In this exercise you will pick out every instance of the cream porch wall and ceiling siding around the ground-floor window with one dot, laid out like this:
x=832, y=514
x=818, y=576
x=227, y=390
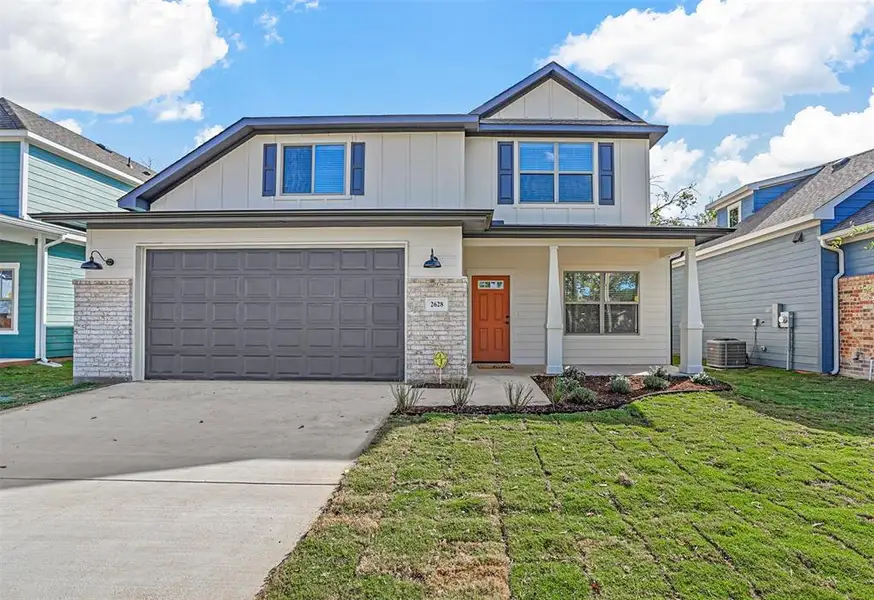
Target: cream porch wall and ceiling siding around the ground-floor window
x=528, y=268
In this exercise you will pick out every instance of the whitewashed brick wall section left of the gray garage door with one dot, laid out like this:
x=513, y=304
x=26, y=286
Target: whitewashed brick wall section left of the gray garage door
x=102, y=330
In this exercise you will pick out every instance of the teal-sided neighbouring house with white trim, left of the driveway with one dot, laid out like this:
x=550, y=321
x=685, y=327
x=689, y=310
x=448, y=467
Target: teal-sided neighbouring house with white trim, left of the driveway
x=45, y=167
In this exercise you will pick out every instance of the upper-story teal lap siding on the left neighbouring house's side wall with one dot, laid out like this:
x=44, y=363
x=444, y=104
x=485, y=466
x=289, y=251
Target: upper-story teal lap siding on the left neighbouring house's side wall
x=56, y=184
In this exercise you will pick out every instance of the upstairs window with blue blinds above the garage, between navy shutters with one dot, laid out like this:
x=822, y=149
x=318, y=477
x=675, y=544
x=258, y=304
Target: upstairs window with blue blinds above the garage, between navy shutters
x=314, y=169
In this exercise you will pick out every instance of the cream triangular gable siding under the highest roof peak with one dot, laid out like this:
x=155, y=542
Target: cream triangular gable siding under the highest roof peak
x=550, y=100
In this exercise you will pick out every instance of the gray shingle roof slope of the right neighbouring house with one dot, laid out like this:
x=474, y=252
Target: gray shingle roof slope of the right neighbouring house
x=810, y=194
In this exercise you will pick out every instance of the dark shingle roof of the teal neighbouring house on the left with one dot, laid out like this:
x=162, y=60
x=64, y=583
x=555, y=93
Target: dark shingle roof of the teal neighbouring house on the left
x=13, y=116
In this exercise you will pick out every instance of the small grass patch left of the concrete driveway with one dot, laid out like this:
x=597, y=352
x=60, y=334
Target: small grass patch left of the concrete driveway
x=33, y=383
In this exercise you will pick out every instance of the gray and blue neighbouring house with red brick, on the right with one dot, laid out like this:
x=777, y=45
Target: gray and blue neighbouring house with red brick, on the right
x=783, y=251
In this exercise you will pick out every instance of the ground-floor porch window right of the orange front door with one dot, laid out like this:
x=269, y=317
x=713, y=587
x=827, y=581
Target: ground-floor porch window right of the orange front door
x=601, y=303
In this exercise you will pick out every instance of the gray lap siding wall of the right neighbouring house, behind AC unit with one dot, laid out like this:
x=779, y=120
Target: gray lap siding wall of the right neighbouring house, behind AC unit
x=738, y=286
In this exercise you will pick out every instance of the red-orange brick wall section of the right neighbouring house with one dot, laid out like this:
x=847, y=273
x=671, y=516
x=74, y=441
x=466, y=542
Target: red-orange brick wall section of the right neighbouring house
x=856, y=301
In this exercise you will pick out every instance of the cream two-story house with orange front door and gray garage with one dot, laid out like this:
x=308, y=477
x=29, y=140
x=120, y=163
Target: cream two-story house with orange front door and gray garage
x=356, y=247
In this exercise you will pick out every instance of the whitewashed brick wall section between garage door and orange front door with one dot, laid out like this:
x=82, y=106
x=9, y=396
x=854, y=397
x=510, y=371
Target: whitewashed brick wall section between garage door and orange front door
x=430, y=332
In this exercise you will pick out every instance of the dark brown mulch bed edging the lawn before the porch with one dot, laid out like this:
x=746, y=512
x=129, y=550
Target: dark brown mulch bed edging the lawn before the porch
x=606, y=399
